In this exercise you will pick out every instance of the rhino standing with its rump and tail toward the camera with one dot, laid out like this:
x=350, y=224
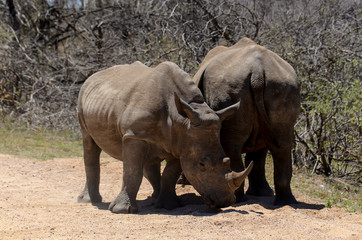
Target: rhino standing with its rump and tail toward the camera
x=269, y=95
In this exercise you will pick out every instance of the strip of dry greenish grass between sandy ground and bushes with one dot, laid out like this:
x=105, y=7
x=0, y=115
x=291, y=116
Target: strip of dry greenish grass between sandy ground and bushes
x=45, y=144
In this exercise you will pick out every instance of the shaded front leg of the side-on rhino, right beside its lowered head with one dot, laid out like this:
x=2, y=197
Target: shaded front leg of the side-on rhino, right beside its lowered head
x=168, y=198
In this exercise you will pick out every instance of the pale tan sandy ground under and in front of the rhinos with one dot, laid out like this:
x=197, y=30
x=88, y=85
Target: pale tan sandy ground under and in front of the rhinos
x=38, y=201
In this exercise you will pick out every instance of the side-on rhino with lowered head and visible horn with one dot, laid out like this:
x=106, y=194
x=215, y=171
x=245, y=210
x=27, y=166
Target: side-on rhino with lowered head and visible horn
x=142, y=115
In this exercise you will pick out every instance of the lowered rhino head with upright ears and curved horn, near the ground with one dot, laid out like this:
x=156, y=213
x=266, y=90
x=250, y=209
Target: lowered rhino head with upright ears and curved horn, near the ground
x=202, y=158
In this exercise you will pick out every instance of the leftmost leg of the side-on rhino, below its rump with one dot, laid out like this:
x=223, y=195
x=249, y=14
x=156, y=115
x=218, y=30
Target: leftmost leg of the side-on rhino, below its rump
x=91, y=153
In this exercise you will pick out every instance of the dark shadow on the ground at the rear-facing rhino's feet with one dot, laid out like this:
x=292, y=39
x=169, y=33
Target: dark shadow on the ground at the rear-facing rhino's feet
x=267, y=203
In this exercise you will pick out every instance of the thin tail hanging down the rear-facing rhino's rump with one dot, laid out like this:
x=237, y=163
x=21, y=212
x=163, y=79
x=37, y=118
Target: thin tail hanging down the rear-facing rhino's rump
x=257, y=83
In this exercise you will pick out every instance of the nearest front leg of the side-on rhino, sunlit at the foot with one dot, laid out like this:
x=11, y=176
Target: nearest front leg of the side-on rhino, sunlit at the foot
x=134, y=153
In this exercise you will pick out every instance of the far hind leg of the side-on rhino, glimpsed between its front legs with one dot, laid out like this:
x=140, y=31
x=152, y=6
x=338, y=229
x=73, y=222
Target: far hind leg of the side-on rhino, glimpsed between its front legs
x=152, y=173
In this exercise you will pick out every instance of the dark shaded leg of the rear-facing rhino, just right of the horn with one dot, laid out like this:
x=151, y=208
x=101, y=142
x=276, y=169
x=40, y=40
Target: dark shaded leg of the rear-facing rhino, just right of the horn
x=258, y=185
